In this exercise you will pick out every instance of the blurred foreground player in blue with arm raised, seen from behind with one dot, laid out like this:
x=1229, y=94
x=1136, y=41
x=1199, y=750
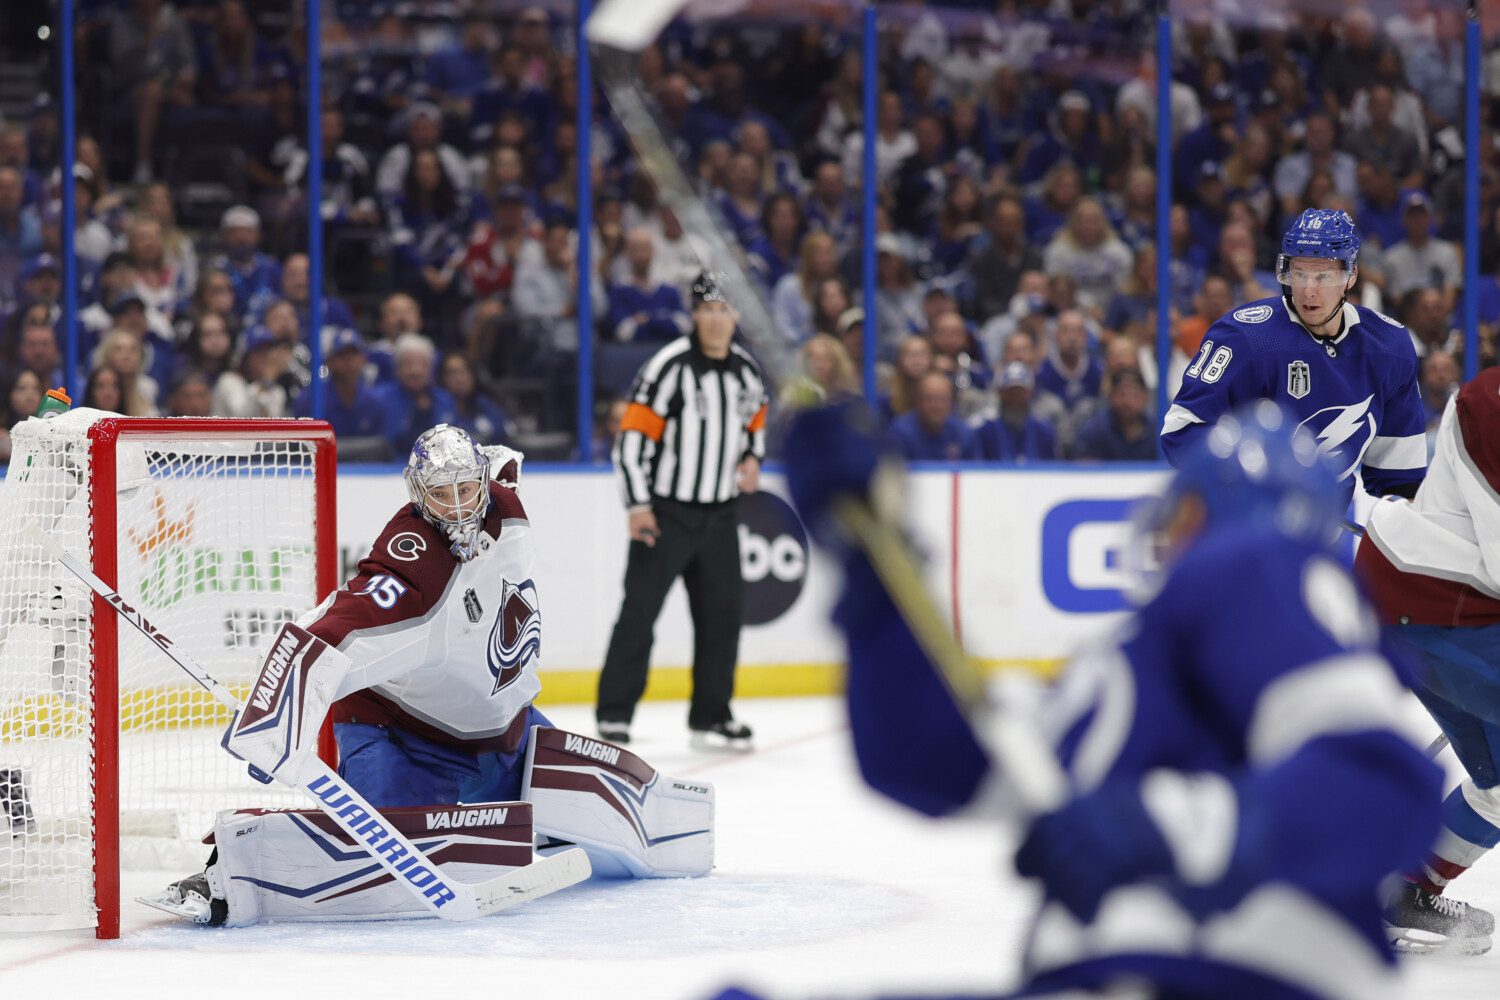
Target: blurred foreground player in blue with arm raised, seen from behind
x=1238, y=789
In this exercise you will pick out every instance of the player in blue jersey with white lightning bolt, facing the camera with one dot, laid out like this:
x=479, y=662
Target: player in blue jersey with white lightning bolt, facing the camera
x=1345, y=373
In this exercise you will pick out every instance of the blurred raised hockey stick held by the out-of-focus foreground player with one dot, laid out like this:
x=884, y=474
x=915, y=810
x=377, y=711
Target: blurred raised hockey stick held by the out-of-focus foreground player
x=617, y=32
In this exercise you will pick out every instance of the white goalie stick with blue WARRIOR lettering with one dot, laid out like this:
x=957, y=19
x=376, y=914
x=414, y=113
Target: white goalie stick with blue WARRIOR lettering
x=445, y=897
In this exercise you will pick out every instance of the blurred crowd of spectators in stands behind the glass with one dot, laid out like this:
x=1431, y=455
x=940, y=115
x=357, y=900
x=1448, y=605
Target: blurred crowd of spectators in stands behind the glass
x=1016, y=245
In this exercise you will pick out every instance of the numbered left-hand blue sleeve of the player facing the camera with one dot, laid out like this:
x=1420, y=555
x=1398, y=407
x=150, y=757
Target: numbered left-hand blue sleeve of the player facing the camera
x=1225, y=374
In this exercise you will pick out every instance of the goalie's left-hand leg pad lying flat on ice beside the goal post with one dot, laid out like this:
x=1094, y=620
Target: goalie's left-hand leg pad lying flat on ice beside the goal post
x=301, y=866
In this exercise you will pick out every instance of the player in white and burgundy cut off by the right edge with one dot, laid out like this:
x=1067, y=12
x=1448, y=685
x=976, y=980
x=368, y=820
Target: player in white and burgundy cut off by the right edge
x=1433, y=567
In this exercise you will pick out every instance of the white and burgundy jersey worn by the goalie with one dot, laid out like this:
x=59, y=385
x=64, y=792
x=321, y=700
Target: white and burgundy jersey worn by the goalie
x=442, y=648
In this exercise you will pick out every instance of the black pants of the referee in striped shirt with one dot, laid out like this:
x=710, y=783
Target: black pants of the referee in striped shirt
x=700, y=543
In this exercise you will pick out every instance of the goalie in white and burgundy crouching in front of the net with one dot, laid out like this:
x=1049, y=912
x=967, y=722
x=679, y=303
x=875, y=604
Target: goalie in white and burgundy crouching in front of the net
x=427, y=663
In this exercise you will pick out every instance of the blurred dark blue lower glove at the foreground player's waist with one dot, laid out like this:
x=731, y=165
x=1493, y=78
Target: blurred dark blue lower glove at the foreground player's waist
x=1093, y=845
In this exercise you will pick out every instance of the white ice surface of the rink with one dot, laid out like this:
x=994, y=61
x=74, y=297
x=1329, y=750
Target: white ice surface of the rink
x=821, y=891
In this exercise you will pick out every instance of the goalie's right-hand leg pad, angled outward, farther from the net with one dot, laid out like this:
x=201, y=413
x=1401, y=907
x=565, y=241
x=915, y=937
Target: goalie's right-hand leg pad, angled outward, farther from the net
x=629, y=818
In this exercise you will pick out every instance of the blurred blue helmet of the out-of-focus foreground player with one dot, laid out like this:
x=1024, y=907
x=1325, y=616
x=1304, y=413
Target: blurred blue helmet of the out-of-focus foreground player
x=1256, y=469
